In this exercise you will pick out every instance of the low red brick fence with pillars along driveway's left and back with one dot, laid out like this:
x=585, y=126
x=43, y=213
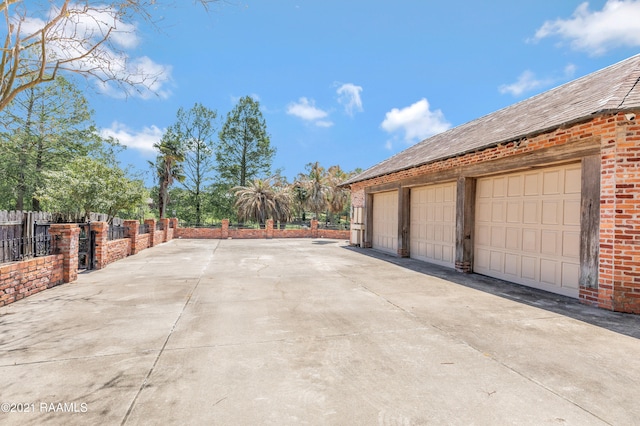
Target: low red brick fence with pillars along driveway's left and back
x=21, y=279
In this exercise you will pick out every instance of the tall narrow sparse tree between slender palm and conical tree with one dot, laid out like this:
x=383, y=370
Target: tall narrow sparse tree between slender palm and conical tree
x=196, y=130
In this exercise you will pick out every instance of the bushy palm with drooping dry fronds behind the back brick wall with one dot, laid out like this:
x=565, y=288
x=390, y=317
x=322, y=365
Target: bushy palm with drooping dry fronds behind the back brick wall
x=261, y=201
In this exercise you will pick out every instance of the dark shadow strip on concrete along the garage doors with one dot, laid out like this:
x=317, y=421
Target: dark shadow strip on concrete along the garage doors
x=627, y=324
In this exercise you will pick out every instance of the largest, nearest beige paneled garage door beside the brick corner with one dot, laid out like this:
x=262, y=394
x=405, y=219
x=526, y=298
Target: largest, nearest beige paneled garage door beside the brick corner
x=528, y=228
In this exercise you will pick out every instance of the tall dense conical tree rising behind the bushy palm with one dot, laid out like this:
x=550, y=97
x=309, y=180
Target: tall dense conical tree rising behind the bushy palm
x=244, y=149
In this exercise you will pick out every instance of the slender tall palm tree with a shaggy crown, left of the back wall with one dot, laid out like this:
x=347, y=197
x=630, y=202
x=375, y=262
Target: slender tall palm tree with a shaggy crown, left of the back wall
x=168, y=167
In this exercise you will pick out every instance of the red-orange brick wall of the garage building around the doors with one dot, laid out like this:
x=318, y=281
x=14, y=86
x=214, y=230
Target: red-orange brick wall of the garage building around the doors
x=619, y=246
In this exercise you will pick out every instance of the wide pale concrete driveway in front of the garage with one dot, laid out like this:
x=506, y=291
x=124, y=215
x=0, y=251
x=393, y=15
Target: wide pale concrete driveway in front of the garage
x=246, y=332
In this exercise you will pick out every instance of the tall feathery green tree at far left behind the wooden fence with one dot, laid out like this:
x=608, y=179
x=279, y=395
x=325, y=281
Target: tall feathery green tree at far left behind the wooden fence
x=42, y=130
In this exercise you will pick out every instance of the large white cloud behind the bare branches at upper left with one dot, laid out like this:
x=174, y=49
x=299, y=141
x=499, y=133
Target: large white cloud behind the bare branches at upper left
x=78, y=38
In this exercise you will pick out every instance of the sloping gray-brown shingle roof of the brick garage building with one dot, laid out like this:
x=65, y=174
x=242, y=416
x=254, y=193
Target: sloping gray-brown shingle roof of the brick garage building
x=616, y=87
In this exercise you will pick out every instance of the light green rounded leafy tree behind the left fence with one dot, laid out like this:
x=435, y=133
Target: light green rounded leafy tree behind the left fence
x=88, y=185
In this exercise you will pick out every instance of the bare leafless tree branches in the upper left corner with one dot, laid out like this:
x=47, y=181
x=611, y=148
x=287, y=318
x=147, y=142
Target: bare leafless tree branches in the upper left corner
x=47, y=37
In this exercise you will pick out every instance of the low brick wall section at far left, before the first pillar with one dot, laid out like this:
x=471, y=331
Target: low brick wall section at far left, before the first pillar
x=21, y=279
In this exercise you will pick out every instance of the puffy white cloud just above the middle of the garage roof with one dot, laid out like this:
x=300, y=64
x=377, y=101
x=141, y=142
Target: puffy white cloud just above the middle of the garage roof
x=417, y=121
